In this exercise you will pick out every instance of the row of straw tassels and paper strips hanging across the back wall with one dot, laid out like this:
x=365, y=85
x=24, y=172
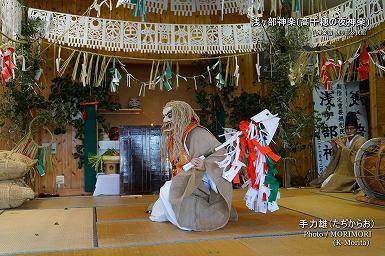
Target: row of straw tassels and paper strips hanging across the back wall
x=95, y=66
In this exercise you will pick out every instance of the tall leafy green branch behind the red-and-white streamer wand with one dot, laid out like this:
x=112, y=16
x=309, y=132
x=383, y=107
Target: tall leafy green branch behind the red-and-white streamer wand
x=297, y=122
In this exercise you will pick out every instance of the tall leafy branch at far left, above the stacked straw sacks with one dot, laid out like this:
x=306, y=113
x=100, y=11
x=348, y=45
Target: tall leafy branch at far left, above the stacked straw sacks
x=22, y=99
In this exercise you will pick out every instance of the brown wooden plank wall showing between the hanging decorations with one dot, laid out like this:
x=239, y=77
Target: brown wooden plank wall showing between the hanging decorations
x=65, y=164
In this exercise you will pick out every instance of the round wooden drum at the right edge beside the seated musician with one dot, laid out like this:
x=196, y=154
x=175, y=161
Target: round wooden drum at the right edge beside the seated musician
x=369, y=168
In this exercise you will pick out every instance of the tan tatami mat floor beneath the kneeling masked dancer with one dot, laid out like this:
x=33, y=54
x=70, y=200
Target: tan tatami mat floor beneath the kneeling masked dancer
x=118, y=225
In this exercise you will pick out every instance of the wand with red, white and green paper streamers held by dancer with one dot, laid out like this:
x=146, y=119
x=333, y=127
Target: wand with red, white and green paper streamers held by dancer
x=252, y=140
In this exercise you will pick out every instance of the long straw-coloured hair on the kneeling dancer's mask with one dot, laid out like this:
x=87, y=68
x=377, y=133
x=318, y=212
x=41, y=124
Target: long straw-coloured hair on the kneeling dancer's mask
x=182, y=115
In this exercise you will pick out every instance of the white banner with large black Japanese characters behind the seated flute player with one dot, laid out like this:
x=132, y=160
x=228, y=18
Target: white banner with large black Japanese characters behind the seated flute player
x=344, y=97
